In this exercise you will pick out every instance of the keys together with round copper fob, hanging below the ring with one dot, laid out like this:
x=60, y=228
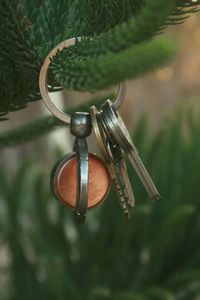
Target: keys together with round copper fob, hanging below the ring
x=81, y=180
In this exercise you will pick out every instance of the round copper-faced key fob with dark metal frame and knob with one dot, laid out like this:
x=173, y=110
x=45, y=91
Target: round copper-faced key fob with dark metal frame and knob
x=75, y=178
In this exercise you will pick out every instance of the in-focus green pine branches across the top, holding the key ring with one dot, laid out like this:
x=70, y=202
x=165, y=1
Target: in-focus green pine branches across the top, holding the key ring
x=29, y=29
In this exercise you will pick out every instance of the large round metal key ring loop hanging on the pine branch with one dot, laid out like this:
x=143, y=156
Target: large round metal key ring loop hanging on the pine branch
x=44, y=86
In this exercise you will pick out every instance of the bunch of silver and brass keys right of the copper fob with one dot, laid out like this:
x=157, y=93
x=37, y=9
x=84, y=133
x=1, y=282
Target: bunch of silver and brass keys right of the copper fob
x=115, y=142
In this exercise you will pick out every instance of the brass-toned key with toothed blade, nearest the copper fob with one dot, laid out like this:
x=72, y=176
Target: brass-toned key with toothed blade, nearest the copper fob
x=114, y=171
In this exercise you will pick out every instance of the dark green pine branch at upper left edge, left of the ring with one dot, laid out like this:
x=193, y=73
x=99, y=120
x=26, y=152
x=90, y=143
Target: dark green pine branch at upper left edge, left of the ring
x=19, y=57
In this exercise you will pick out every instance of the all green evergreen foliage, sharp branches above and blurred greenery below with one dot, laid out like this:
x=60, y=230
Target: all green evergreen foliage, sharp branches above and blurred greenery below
x=155, y=255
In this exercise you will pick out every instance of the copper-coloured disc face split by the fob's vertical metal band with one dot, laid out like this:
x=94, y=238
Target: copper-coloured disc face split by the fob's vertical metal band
x=65, y=181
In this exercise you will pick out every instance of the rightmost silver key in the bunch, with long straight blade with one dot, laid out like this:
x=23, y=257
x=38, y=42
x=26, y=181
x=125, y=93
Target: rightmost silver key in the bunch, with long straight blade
x=118, y=133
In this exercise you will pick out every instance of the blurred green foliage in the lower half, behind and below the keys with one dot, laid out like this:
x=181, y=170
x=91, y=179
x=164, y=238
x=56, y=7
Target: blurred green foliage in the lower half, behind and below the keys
x=154, y=255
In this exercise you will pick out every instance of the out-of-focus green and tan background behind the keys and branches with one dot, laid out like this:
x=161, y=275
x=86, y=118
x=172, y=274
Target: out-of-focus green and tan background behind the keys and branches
x=155, y=254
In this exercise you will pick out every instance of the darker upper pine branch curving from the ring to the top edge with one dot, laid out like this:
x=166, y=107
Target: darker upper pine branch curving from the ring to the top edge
x=137, y=30
